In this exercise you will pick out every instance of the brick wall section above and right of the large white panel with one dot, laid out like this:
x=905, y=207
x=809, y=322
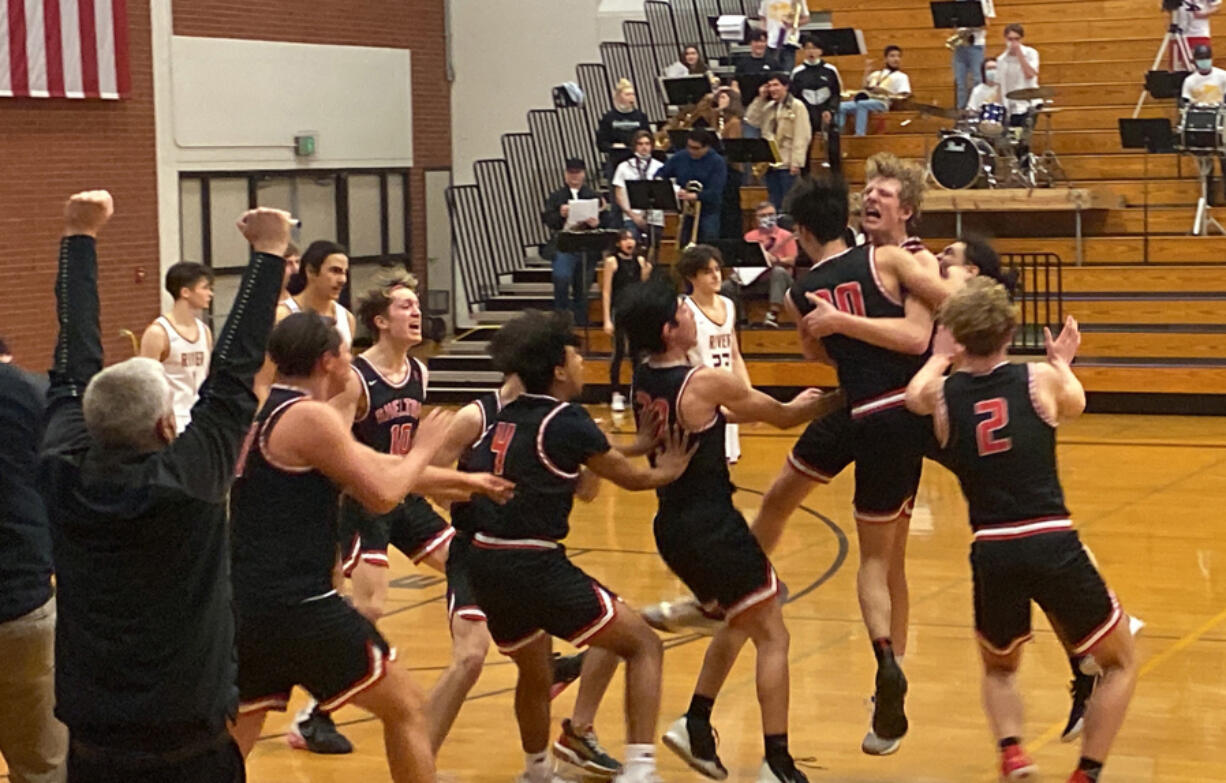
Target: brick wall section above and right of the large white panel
x=416, y=25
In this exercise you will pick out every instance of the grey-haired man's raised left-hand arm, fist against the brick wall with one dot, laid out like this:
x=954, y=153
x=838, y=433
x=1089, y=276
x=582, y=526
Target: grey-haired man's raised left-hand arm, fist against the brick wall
x=79, y=346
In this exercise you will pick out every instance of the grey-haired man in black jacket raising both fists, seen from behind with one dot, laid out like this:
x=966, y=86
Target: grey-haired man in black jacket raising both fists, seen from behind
x=145, y=644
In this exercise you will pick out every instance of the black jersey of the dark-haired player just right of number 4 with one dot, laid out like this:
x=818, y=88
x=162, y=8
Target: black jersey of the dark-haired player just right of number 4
x=707, y=477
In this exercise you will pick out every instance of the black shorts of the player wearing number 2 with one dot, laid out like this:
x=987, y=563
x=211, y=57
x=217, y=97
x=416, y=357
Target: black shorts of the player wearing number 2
x=1013, y=565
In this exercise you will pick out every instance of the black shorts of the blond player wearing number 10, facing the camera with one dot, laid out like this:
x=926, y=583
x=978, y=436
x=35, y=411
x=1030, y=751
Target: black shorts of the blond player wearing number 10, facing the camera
x=413, y=528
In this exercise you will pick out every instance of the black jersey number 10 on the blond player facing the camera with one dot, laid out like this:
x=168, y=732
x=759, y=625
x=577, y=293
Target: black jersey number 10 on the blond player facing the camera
x=393, y=410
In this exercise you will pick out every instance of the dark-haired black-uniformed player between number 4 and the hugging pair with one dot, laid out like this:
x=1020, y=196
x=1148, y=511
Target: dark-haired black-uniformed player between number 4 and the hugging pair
x=701, y=535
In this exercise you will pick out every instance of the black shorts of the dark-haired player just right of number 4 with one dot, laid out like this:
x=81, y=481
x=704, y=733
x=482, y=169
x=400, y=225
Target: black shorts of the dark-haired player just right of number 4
x=710, y=547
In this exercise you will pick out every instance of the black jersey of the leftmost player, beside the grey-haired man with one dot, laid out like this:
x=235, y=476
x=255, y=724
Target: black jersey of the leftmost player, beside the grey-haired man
x=283, y=520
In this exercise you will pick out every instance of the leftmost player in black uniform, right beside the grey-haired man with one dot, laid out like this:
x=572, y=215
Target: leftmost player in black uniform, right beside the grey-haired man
x=294, y=628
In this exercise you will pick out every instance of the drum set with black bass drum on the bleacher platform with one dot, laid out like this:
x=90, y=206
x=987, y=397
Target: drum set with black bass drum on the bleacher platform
x=984, y=151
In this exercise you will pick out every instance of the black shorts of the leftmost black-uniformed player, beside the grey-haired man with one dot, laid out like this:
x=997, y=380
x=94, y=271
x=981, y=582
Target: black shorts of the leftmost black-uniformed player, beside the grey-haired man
x=323, y=645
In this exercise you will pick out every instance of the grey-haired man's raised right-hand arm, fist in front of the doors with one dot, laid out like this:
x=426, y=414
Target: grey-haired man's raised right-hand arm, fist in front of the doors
x=204, y=456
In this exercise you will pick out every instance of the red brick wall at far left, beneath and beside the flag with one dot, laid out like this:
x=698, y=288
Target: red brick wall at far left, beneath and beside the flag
x=51, y=149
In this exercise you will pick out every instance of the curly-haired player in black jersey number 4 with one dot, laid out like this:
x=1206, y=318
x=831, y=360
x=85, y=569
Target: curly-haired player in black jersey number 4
x=522, y=578
